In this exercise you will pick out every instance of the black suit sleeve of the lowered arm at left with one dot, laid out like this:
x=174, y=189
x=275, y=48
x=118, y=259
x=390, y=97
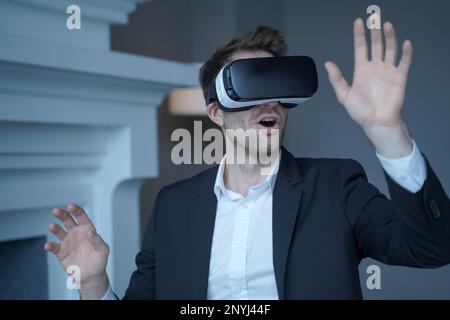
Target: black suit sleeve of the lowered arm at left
x=142, y=282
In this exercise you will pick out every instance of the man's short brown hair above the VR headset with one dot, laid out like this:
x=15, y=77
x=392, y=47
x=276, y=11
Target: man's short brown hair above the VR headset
x=262, y=38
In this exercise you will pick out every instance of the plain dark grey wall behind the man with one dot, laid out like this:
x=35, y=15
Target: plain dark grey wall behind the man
x=191, y=30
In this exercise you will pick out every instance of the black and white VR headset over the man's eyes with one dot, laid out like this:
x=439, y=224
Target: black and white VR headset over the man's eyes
x=245, y=83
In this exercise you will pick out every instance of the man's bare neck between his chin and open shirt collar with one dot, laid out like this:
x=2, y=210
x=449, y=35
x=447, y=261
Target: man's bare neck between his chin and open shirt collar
x=240, y=177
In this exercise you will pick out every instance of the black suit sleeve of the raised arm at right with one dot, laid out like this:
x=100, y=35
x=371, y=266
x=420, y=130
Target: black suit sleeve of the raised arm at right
x=411, y=229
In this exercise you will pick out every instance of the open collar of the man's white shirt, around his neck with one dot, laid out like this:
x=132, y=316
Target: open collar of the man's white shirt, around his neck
x=220, y=189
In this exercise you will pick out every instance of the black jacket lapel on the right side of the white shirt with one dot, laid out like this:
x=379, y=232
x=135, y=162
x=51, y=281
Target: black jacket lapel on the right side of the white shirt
x=286, y=200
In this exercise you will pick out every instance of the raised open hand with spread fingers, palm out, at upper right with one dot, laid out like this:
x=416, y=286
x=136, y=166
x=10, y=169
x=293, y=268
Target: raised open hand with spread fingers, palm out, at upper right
x=377, y=93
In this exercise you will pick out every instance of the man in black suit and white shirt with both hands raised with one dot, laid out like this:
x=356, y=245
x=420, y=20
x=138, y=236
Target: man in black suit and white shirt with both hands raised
x=301, y=231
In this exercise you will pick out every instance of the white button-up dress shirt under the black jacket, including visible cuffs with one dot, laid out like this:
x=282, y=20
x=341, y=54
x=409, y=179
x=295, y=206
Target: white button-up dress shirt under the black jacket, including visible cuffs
x=241, y=264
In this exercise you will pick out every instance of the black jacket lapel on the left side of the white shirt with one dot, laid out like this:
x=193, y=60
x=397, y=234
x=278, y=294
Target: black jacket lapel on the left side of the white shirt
x=201, y=228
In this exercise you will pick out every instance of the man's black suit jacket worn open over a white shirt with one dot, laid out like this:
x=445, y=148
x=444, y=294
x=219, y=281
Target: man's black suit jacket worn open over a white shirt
x=326, y=219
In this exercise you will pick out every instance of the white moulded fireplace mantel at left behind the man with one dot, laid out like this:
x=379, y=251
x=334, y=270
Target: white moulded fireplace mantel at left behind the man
x=78, y=124
